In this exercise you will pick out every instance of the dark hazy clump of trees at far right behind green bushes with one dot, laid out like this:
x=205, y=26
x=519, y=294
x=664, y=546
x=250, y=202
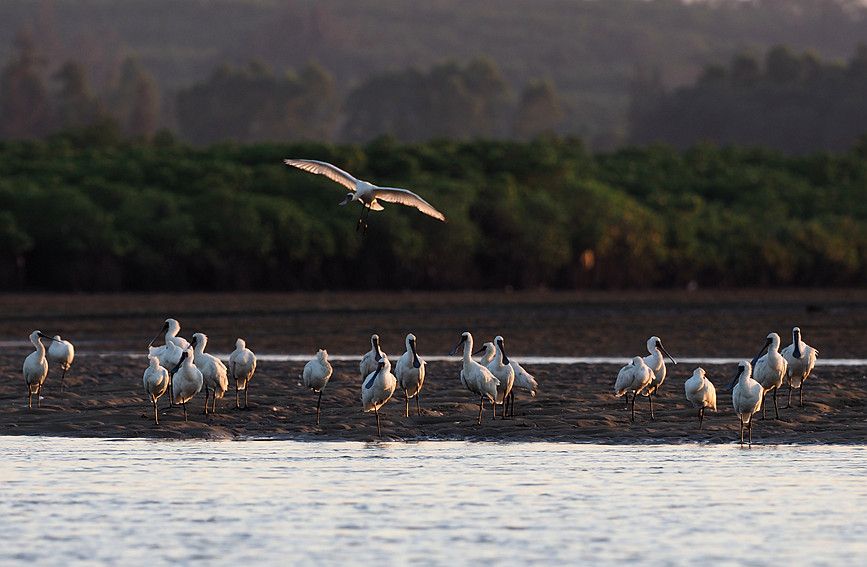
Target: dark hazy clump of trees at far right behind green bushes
x=787, y=101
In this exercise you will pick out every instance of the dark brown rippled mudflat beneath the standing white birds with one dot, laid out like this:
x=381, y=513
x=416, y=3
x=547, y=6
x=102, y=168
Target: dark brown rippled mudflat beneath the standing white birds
x=104, y=395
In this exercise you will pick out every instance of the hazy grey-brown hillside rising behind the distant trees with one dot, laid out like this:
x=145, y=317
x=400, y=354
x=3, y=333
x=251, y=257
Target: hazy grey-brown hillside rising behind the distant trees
x=588, y=51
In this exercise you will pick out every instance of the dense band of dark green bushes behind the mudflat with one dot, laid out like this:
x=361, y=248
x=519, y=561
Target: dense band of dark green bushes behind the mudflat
x=85, y=210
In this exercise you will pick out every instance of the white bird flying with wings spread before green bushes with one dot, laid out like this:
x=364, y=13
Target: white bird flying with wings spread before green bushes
x=366, y=193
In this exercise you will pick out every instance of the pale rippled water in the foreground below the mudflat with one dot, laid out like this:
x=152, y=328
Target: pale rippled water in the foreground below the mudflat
x=266, y=502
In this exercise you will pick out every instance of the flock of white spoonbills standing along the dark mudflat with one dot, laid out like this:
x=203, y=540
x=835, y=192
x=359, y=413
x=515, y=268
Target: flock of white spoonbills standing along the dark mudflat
x=183, y=369
